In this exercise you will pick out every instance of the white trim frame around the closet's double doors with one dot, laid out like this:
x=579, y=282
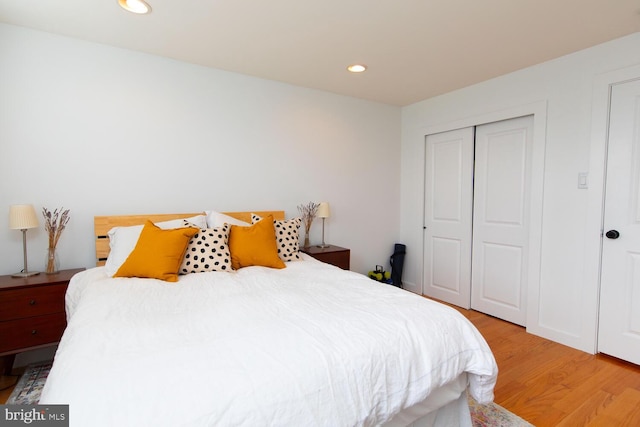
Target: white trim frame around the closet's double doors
x=539, y=112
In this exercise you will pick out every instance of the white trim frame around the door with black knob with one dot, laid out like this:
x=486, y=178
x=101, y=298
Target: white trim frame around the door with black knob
x=595, y=200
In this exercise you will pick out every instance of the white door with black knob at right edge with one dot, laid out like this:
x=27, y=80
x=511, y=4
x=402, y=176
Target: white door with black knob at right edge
x=619, y=320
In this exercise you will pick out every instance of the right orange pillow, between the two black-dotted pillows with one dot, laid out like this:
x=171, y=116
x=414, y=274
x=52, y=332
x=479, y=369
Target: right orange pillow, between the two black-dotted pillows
x=254, y=245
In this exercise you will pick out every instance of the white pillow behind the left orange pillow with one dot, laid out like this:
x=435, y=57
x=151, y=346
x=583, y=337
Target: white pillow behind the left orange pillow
x=122, y=240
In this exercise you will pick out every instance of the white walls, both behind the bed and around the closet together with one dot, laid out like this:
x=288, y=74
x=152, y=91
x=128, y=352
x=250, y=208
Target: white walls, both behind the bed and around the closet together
x=101, y=131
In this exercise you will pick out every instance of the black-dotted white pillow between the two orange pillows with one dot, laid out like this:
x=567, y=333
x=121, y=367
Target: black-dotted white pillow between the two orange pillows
x=208, y=250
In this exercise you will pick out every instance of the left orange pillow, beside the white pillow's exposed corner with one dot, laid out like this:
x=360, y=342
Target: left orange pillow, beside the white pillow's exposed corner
x=158, y=253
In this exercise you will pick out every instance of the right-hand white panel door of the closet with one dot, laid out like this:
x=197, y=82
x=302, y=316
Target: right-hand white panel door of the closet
x=501, y=218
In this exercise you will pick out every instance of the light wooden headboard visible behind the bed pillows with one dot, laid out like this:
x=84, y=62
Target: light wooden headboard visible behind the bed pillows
x=102, y=225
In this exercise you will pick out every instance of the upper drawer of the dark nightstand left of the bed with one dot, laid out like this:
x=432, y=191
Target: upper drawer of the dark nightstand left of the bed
x=32, y=301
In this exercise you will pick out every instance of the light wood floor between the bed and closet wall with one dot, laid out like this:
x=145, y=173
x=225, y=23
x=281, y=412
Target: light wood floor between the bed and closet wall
x=549, y=384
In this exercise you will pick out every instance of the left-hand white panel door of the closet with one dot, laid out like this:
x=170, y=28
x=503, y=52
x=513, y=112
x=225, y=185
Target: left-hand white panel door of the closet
x=447, y=216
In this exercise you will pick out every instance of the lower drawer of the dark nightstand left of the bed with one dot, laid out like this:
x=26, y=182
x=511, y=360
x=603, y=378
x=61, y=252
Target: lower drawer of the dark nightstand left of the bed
x=31, y=332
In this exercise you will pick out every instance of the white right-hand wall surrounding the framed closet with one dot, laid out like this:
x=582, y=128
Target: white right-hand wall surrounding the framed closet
x=567, y=288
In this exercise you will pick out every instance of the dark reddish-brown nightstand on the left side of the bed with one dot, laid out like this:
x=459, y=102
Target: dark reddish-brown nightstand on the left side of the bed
x=32, y=312
